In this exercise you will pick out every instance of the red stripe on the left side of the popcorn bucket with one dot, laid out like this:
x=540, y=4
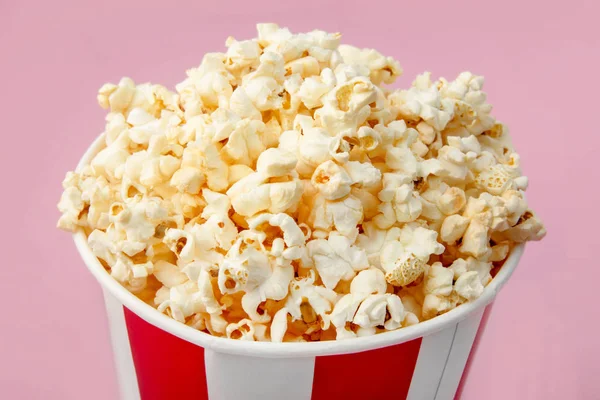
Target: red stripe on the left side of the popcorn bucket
x=167, y=367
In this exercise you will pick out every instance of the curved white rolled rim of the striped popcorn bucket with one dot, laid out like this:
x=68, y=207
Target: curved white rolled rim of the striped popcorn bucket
x=282, y=350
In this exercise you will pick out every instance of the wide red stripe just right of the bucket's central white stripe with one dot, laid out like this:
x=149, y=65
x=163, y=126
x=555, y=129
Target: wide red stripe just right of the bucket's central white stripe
x=367, y=375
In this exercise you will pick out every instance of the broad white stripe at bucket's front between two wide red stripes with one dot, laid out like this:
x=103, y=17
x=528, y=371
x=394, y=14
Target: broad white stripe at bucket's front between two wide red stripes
x=235, y=377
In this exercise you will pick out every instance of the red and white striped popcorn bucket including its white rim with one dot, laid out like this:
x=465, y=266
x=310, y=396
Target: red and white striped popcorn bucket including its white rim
x=157, y=357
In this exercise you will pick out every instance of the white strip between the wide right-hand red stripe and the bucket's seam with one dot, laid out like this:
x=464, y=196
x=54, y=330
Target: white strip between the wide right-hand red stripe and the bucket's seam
x=433, y=355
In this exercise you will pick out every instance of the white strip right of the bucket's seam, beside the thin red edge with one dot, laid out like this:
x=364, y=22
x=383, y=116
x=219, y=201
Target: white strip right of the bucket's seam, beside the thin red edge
x=459, y=354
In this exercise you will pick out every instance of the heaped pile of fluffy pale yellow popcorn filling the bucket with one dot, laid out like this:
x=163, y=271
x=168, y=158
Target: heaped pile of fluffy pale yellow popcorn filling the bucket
x=282, y=193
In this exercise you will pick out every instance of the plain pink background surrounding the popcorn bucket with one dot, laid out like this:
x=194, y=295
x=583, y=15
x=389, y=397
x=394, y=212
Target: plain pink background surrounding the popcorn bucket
x=541, y=62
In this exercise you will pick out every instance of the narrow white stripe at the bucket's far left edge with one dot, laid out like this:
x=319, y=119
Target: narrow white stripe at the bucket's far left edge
x=122, y=351
